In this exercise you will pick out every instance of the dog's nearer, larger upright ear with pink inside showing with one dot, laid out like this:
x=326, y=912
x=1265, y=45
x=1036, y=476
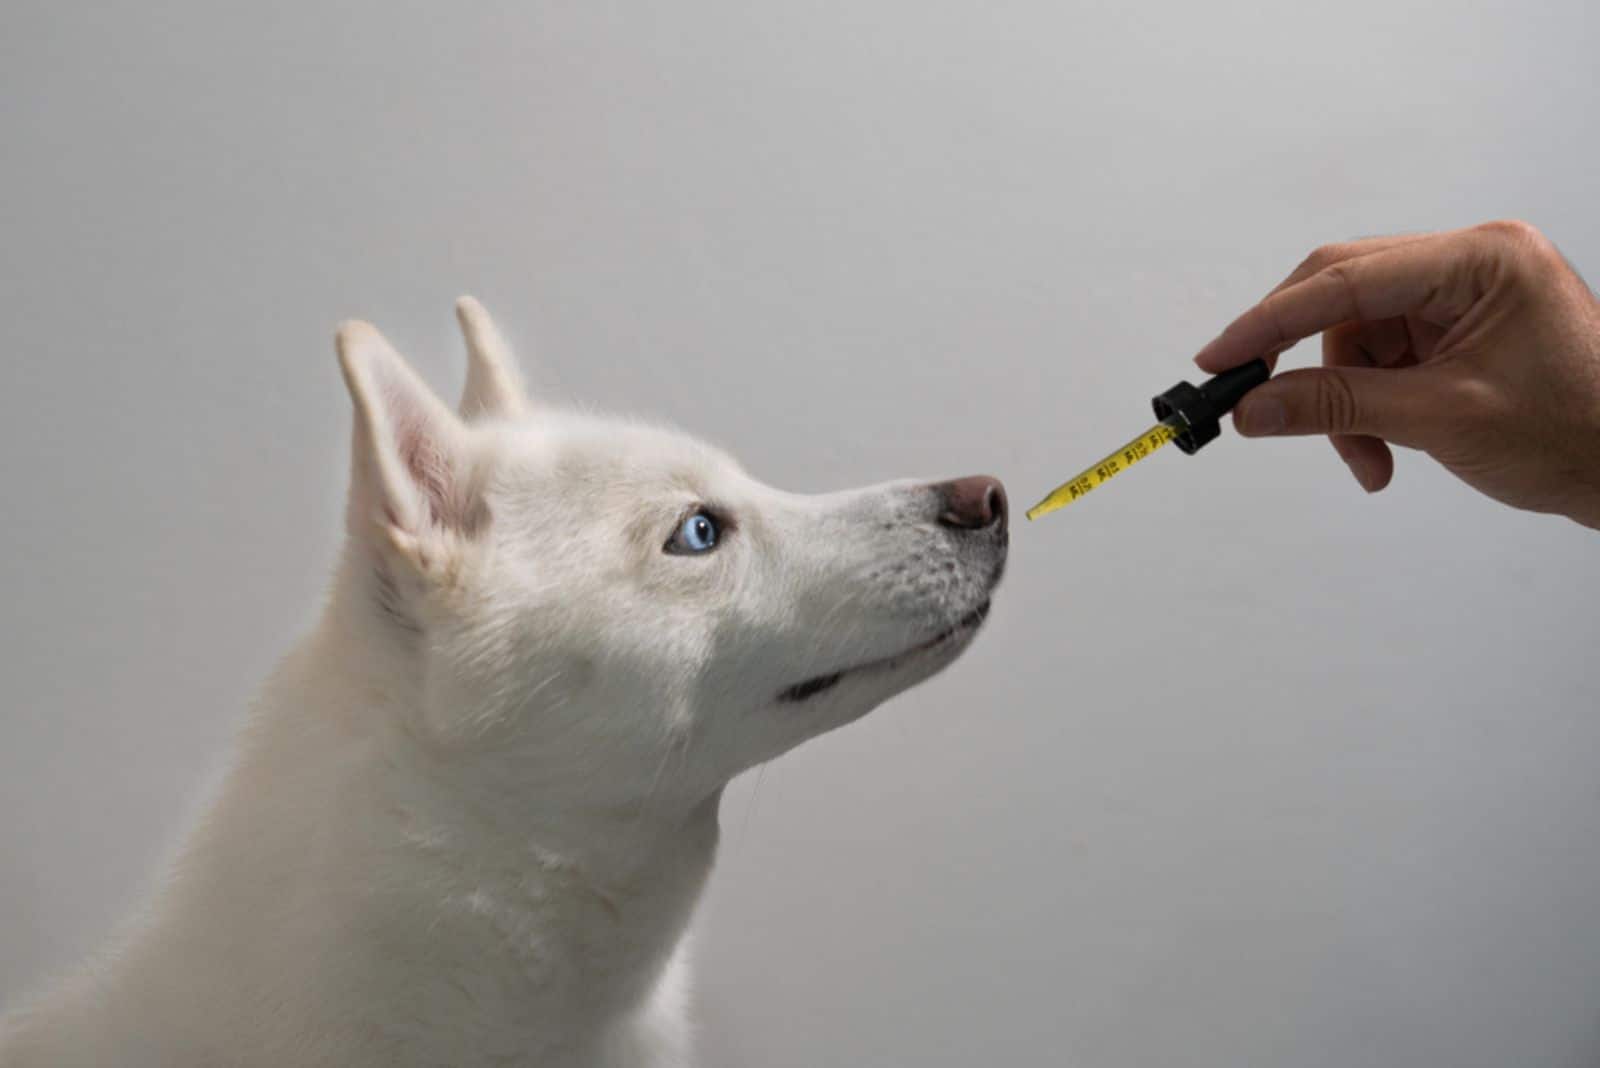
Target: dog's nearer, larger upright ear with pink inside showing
x=409, y=476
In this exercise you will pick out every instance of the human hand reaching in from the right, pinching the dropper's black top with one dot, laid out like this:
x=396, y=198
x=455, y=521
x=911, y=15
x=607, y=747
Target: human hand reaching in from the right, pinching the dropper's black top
x=1479, y=346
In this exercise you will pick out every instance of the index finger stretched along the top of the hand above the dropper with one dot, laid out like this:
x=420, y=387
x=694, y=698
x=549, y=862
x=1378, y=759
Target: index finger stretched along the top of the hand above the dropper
x=1425, y=277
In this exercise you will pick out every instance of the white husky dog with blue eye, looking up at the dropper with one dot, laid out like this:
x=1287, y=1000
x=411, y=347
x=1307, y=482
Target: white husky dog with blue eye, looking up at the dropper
x=471, y=813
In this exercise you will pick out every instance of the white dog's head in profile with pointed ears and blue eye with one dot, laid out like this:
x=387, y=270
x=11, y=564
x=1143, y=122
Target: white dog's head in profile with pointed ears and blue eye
x=620, y=613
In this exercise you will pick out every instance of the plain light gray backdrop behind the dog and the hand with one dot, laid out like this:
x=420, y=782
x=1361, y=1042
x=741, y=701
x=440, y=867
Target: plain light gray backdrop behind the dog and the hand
x=1250, y=770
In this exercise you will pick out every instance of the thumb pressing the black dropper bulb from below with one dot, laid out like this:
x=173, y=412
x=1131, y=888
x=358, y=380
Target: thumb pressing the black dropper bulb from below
x=1382, y=404
